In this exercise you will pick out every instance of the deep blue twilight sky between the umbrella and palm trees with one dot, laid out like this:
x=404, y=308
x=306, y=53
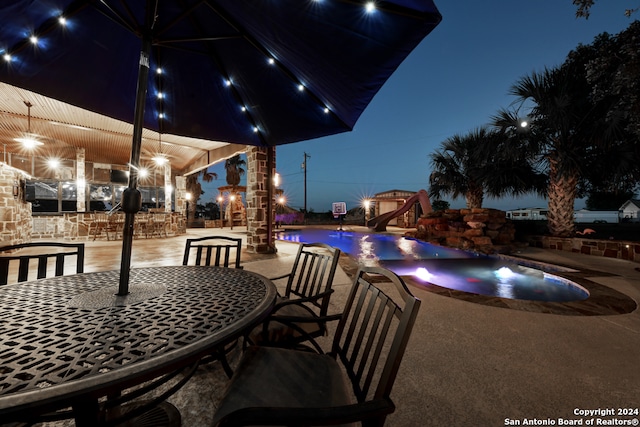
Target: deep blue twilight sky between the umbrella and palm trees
x=453, y=82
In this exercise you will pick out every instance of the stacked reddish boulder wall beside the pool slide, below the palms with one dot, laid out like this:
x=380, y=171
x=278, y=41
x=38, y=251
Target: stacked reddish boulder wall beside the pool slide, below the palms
x=480, y=230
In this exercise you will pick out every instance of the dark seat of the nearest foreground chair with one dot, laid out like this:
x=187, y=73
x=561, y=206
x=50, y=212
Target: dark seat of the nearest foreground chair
x=257, y=384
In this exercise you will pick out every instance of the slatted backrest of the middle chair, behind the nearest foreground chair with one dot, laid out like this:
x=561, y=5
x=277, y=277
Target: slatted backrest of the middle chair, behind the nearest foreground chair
x=312, y=273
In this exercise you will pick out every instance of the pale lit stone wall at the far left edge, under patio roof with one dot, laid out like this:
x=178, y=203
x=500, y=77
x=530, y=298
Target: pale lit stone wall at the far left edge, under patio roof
x=15, y=213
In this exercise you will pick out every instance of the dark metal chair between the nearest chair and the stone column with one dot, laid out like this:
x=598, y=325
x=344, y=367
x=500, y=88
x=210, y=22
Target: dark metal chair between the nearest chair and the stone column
x=300, y=314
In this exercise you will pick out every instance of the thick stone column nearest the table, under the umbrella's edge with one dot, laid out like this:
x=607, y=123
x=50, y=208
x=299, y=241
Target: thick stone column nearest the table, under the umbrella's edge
x=259, y=192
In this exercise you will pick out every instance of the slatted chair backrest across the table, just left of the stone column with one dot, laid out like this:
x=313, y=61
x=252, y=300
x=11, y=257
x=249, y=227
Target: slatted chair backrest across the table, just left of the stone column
x=213, y=250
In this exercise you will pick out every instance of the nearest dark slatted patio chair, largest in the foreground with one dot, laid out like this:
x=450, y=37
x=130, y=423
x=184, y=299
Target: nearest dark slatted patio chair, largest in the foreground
x=351, y=383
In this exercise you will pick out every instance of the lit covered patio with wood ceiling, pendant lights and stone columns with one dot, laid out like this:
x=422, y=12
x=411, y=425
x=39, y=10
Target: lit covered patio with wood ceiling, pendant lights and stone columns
x=90, y=152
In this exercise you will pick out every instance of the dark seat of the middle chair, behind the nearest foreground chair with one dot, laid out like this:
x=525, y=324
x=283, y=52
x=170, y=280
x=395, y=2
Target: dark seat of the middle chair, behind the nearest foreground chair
x=281, y=333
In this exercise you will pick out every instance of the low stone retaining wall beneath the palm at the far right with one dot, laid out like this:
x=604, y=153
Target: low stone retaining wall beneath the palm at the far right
x=626, y=250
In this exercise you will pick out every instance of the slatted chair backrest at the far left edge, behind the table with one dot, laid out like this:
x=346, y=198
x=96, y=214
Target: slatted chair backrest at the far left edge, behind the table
x=34, y=251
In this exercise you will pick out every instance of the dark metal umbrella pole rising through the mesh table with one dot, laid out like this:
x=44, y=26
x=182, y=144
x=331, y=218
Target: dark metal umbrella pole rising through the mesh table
x=131, y=200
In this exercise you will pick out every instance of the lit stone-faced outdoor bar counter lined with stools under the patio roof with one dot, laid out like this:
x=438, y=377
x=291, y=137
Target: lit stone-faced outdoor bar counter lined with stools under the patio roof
x=102, y=226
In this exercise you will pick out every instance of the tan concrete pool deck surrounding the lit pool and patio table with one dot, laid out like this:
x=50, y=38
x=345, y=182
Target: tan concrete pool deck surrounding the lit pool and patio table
x=468, y=363
